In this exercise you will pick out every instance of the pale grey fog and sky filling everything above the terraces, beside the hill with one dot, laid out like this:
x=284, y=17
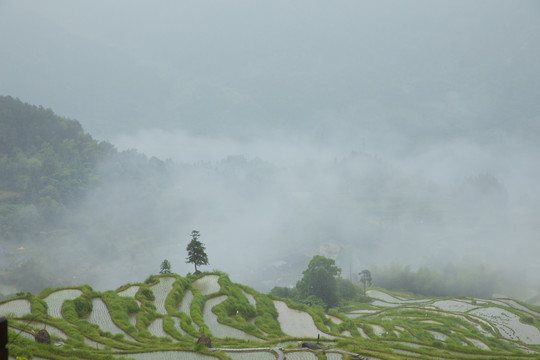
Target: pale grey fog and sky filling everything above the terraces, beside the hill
x=375, y=133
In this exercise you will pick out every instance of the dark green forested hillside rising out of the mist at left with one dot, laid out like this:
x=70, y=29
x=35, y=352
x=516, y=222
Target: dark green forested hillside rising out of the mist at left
x=47, y=163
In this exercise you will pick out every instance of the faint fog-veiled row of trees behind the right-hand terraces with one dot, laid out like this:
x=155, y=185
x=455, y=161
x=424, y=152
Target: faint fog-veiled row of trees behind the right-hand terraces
x=464, y=279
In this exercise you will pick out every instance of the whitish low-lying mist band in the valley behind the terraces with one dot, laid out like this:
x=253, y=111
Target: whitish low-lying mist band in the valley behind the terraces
x=267, y=208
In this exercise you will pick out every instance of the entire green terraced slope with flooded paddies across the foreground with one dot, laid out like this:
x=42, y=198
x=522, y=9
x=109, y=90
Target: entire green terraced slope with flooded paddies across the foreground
x=162, y=317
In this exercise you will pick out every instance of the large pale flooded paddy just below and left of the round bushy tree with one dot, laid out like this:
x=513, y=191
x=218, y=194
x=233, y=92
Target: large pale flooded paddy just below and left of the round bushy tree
x=297, y=323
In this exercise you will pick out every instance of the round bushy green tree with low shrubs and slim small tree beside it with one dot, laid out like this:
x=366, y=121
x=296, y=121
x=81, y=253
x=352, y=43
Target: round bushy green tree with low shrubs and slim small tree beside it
x=322, y=285
